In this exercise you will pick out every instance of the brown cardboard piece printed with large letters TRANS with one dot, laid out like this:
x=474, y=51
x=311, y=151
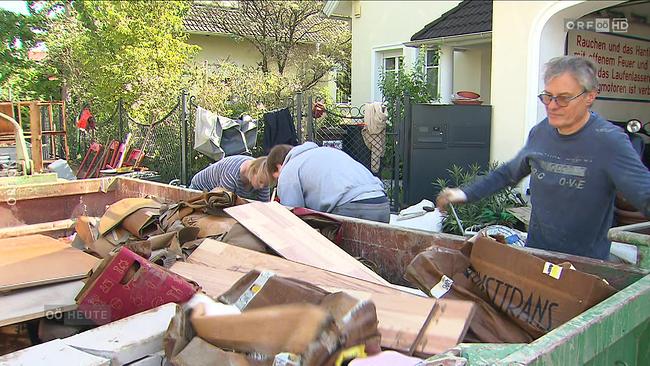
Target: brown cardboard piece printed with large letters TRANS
x=516, y=283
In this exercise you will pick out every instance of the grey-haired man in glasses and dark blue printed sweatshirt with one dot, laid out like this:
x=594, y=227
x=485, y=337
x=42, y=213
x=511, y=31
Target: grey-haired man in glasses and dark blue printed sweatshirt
x=576, y=160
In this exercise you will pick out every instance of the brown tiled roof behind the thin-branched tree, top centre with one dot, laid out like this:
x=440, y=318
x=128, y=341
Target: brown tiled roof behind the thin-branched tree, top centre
x=216, y=19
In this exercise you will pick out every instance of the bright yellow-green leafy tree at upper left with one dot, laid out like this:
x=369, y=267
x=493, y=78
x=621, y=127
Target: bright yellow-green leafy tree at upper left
x=110, y=50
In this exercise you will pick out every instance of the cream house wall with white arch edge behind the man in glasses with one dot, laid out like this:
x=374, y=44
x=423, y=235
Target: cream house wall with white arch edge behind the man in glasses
x=526, y=35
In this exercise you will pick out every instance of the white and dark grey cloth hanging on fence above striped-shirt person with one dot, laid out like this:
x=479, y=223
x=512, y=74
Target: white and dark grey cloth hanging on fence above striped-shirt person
x=216, y=136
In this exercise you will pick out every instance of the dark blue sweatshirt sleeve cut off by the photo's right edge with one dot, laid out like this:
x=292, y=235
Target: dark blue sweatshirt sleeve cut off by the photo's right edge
x=629, y=175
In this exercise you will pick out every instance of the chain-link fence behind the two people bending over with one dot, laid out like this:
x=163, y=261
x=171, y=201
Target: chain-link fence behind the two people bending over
x=168, y=142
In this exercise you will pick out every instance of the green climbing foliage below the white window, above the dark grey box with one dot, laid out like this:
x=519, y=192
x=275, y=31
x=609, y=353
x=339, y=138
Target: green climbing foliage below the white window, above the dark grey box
x=412, y=82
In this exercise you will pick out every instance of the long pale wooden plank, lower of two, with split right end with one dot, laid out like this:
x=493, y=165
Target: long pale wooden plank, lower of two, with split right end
x=400, y=314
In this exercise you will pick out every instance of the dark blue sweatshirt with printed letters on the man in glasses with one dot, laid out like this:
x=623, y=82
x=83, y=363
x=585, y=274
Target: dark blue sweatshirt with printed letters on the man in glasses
x=574, y=179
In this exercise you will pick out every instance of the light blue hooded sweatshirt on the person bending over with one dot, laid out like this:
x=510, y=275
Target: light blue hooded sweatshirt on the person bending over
x=322, y=178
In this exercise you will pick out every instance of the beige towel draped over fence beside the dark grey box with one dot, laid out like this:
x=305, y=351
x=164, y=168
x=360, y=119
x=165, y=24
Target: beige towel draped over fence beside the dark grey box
x=374, y=134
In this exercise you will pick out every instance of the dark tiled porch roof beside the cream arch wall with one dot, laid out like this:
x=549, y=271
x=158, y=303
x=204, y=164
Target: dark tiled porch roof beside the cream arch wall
x=468, y=17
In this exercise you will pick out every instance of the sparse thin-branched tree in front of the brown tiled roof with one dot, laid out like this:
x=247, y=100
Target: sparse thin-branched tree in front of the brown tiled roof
x=282, y=30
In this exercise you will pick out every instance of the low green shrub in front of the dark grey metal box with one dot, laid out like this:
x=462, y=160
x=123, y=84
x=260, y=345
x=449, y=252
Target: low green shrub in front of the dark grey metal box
x=487, y=211
